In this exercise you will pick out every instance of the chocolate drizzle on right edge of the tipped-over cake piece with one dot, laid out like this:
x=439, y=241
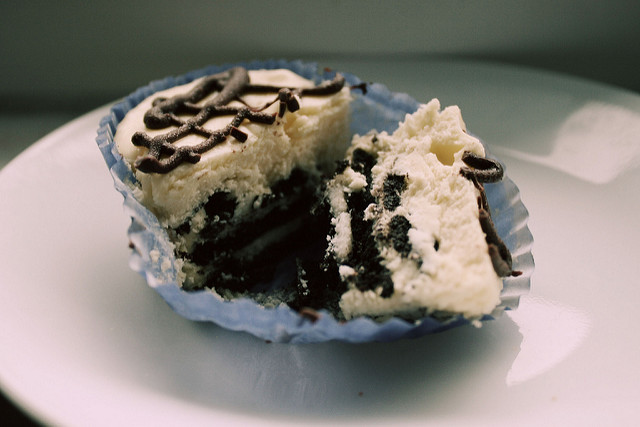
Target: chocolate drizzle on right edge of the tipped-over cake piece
x=481, y=170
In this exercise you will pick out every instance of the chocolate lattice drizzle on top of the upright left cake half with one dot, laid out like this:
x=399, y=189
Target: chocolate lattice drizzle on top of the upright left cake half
x=163, y=156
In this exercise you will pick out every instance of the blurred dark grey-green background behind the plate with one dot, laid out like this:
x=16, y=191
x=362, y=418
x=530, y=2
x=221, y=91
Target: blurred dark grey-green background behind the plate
x=77, y=55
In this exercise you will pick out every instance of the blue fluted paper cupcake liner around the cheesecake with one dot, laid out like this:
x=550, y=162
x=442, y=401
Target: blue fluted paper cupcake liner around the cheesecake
x=379, y=109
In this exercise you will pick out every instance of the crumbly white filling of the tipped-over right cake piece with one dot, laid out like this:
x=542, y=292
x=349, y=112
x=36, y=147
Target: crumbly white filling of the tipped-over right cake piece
x=441, y=206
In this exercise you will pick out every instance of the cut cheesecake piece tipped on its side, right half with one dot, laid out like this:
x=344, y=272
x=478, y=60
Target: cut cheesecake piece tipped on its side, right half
x=411, y=233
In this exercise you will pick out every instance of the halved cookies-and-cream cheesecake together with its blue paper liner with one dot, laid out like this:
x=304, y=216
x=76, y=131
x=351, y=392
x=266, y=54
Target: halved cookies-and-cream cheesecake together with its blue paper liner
x=302, y=205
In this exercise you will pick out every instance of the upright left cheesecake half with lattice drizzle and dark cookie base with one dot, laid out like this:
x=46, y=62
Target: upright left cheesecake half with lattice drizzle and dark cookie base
x=230, y=165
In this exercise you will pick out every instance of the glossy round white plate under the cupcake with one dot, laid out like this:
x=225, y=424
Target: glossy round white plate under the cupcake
x=84, y=341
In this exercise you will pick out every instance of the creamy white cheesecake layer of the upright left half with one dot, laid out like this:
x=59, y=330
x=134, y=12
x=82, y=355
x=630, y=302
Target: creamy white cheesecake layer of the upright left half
x=315, y=135
